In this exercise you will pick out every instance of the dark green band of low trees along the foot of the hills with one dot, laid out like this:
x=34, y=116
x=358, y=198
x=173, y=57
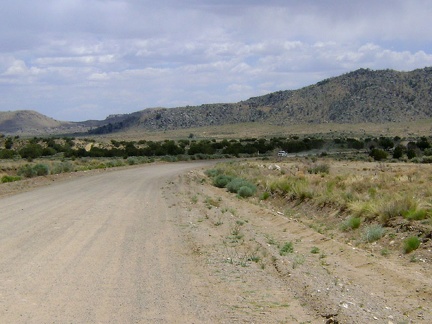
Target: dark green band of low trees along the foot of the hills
x=378, y=148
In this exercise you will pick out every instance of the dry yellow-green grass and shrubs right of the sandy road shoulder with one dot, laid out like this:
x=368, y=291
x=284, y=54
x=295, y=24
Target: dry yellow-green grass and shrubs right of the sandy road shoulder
x=360, y=202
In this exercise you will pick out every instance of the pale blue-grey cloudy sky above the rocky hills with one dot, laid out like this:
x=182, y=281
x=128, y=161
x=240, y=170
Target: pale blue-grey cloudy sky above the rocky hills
x=75, y=60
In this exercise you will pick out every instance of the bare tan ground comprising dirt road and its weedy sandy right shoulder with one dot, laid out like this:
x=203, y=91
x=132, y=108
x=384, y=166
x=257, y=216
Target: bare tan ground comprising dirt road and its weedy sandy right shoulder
x=156, y=244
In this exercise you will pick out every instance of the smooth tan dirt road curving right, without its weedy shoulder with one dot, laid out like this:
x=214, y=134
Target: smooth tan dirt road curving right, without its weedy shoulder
x=98, y=249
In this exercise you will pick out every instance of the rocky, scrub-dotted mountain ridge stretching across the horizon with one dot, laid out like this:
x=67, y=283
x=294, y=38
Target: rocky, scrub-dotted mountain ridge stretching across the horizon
x=362, y=96
